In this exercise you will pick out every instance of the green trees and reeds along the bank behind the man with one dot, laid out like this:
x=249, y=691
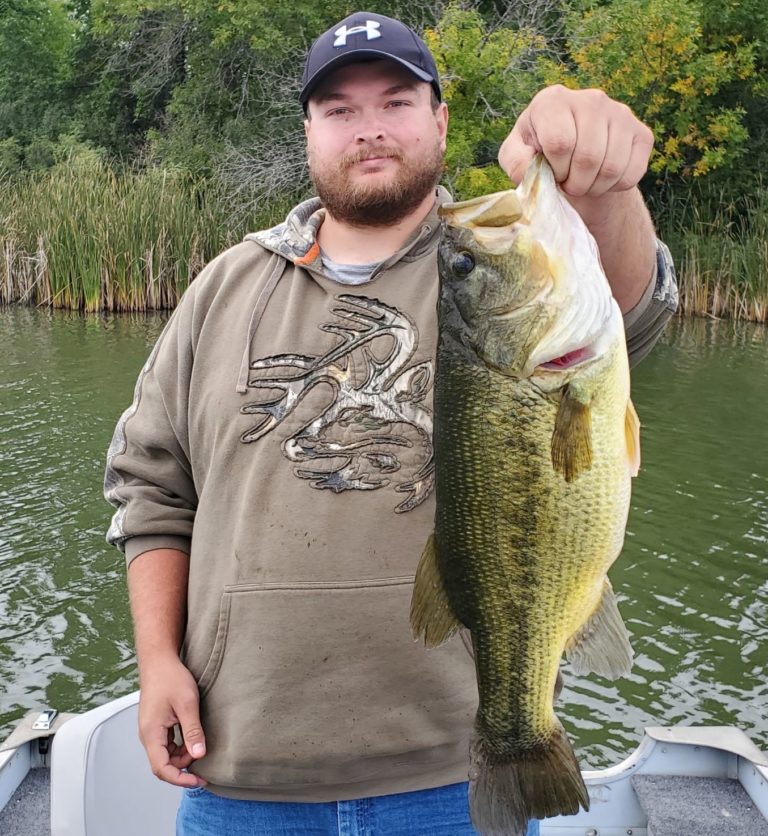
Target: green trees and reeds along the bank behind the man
x=120, y=121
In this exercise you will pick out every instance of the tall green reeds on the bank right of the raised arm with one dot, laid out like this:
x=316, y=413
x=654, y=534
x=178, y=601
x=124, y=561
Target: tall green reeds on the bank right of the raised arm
x=720, y=244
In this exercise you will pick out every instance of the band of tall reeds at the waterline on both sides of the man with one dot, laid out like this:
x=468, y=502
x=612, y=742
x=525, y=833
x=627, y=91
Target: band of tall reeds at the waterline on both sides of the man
x=82, y=237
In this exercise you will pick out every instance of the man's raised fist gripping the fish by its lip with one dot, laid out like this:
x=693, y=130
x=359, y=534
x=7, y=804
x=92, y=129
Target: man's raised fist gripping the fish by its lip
x=593, y=143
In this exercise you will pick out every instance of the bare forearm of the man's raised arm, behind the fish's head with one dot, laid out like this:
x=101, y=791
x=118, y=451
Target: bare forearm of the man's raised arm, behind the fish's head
x=624, y=232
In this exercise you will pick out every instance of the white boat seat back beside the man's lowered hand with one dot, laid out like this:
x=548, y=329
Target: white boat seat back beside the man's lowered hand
x=101, y=782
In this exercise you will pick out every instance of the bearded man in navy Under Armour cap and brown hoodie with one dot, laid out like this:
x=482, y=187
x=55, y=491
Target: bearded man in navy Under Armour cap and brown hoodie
x=269, y=476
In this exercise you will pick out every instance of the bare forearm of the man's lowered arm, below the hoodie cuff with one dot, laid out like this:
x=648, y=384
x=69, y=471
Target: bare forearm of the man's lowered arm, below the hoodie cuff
x=157, y=584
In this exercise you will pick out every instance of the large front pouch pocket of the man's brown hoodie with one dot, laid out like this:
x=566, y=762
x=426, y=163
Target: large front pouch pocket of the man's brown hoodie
x=322, y=683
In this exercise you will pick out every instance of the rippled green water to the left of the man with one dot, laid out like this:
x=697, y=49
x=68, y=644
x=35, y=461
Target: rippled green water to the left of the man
x=63, y=613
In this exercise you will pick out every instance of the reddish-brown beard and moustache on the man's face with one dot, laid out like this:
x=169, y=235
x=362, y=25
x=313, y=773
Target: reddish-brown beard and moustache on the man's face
x=376, y=203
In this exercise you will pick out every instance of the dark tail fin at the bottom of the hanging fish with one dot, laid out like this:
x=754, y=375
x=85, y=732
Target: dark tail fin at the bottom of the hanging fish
x=505, y=793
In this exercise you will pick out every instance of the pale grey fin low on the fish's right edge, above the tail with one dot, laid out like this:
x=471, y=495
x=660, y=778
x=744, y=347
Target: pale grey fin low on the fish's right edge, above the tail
x=601, y=645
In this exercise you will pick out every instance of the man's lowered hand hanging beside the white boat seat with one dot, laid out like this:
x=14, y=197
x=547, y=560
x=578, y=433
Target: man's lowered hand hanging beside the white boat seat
x=169, y=696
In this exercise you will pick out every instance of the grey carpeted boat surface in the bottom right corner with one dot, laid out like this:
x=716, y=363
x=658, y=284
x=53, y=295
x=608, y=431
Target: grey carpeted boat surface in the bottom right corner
x=688, y=806
